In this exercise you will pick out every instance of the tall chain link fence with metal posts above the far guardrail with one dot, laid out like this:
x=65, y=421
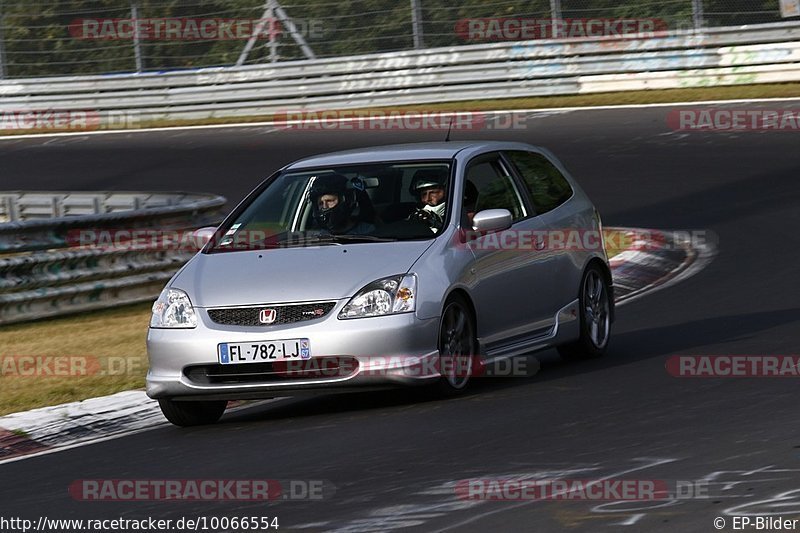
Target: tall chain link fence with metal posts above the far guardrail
x=63, y=37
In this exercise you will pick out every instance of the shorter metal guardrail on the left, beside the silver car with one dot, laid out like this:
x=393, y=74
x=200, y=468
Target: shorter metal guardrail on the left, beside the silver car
x=47, y=269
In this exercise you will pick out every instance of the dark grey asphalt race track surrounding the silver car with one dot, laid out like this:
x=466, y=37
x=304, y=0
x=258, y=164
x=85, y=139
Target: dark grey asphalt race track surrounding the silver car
x=394, y=457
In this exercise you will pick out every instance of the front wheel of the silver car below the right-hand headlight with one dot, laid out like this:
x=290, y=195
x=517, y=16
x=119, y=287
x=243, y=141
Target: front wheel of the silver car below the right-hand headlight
x=458, y=346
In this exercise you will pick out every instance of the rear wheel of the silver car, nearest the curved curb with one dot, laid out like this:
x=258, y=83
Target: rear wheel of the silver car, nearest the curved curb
x=595, y=317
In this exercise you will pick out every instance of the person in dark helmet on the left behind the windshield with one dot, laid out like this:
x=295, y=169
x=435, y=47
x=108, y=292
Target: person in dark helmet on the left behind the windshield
x=333, y=202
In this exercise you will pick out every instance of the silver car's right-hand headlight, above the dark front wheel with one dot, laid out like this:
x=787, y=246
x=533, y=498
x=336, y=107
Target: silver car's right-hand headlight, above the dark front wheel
x=386, y=296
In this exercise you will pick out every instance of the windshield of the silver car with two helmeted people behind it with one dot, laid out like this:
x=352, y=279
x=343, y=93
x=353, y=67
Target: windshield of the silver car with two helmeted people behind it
x=376, y=202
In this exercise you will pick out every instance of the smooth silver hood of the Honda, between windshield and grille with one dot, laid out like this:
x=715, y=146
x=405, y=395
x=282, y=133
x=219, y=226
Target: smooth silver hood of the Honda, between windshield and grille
x=299, y=274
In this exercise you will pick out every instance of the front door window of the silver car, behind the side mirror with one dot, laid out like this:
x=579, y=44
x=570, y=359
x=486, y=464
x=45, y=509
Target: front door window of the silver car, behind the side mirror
x=488, y=181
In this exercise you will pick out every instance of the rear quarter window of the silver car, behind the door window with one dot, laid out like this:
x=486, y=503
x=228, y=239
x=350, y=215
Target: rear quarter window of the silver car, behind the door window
x=547, y=187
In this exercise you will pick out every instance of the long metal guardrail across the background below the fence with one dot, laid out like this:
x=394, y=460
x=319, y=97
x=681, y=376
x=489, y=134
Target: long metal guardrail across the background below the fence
x=721, y=56
